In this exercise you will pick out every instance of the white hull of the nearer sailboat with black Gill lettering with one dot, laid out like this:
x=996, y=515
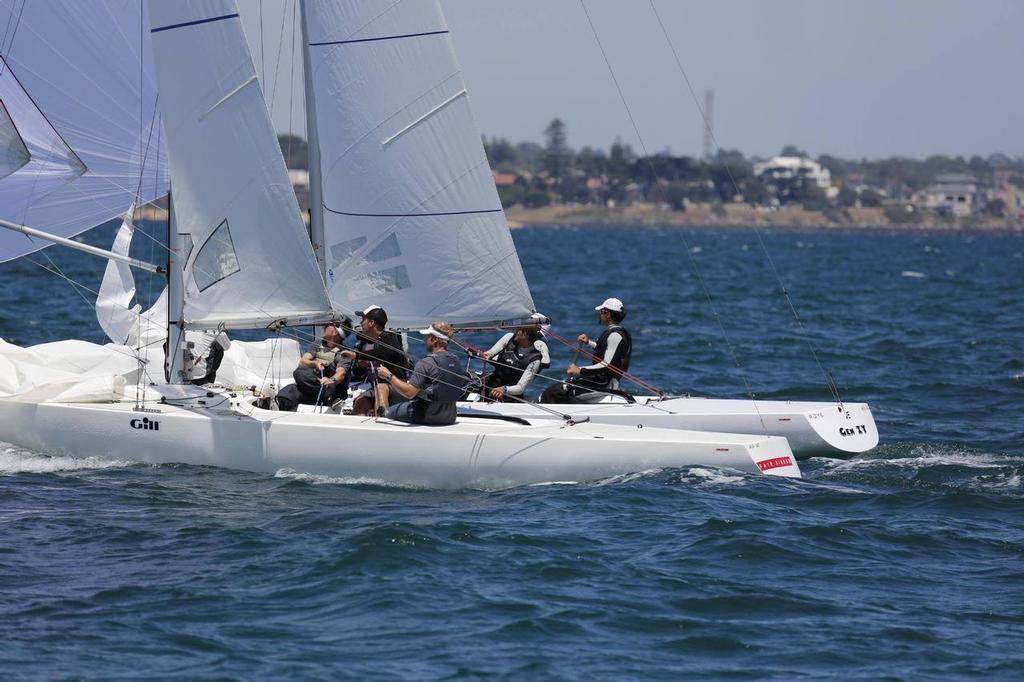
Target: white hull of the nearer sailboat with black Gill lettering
x=474, y=453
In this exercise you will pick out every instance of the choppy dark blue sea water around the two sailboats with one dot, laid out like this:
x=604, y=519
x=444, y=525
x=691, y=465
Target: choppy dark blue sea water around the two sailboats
x=904, y=564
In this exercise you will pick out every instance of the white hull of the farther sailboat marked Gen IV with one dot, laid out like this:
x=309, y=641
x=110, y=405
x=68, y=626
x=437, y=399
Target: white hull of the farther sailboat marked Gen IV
x=814, y=430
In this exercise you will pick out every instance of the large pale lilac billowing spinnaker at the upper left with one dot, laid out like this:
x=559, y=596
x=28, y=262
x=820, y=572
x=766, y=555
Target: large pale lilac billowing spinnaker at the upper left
x=88, y=68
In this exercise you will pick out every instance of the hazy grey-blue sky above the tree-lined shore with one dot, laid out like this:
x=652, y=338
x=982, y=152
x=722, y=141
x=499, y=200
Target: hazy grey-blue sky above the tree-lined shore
x=865, y=78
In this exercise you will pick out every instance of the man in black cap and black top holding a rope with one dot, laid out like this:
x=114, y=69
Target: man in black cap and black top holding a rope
x=376, y=348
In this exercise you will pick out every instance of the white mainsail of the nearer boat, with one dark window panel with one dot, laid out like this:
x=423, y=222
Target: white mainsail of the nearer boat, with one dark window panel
x=251, y=263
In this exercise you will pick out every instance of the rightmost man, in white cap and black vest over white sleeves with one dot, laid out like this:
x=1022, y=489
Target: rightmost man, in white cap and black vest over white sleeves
x=614, y=351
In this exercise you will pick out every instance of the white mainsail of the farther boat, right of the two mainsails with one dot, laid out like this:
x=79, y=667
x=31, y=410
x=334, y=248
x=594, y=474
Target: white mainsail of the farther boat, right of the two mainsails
x=412, y=218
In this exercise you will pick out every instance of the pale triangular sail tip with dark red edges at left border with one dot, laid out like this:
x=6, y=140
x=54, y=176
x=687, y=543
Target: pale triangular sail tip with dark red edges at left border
x=50, y=164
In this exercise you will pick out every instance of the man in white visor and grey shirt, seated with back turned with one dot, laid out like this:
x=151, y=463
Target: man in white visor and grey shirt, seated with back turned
x=436, y=386
